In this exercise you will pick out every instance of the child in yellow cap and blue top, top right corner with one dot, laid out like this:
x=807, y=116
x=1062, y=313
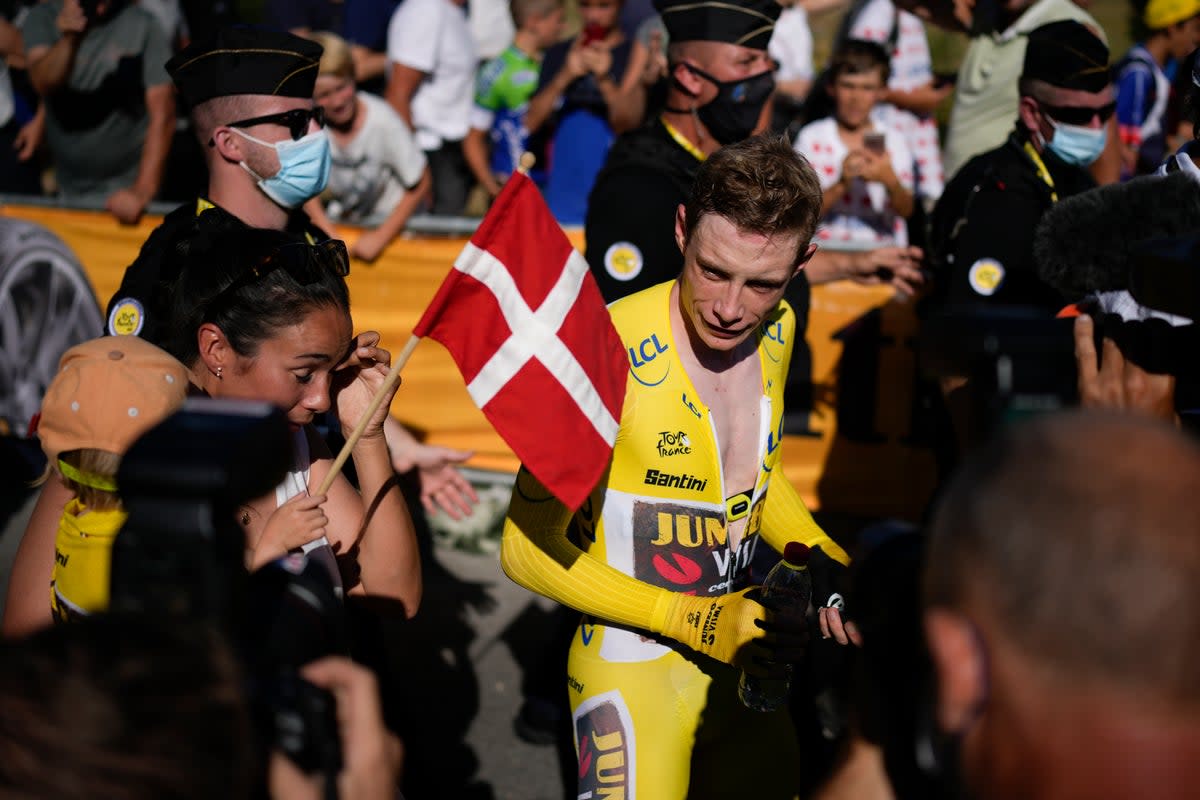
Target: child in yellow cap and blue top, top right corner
x=1143, y=86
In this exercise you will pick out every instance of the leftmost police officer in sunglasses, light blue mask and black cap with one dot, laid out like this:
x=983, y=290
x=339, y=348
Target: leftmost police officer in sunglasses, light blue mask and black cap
x=250, y=94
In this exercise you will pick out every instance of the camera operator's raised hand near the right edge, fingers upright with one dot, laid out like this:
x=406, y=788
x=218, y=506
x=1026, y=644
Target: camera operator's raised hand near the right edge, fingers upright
x=1118, y=383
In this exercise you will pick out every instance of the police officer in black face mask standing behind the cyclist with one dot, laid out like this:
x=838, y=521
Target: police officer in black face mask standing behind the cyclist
x=719, y=81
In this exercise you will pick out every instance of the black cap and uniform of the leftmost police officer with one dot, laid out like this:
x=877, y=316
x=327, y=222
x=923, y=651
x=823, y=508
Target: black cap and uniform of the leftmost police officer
x=235, y=62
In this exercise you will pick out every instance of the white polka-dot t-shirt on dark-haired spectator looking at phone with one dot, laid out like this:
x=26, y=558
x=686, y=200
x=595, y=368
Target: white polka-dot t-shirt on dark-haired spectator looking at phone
x=865, y=216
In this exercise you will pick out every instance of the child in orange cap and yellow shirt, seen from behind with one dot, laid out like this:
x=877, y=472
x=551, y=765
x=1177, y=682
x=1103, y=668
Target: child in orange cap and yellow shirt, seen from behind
x=107, y=393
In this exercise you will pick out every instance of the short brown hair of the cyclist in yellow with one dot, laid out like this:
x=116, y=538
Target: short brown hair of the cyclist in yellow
x=761, y=185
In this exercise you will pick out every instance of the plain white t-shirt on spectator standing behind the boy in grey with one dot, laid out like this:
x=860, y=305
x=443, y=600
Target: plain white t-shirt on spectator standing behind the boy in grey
x=434, y=38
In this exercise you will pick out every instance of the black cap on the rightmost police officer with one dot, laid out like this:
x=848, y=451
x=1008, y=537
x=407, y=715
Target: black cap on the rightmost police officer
x=1069, y=56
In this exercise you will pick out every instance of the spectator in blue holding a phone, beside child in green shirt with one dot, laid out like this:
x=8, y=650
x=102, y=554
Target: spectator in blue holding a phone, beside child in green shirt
x=590, y=91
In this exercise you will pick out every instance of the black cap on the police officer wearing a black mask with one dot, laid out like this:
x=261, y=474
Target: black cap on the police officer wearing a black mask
x=748, y=23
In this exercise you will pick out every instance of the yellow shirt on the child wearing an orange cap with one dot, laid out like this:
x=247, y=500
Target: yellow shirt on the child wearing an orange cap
x=83, y=561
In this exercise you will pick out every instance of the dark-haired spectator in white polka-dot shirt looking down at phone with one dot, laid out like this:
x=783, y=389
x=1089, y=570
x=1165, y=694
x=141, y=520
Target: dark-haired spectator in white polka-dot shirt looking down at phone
x=867, y=178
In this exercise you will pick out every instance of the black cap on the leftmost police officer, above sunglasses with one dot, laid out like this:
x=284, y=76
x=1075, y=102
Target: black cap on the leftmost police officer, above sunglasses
x=247, y=62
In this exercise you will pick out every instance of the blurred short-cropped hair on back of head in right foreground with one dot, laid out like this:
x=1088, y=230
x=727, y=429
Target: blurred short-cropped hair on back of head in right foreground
x=1075, y=538
